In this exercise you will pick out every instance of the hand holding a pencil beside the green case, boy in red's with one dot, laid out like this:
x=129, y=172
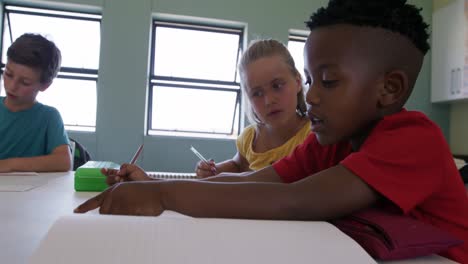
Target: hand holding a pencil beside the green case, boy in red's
x=127, y=172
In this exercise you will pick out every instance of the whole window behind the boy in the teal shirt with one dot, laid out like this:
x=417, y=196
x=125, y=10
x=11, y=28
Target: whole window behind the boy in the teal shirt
x=77, y=35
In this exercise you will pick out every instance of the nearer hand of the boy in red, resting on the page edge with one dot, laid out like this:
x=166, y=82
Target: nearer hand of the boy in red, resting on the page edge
x=131, y=198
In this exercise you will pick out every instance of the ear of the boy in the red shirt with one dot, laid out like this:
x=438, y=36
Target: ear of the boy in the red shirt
x=394, y=89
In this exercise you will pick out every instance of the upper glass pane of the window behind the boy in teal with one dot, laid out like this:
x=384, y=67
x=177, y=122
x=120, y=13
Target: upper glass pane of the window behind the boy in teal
x=78, y=40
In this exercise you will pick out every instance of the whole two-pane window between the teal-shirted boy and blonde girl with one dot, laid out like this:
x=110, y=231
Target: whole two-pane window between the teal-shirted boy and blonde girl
x=194, y=88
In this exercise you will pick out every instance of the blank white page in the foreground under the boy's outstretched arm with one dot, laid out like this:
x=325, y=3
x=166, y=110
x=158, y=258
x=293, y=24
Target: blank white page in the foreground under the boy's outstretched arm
x=93, y=238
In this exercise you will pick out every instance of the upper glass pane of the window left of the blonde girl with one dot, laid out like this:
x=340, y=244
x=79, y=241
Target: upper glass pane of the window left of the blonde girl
x=195, y=54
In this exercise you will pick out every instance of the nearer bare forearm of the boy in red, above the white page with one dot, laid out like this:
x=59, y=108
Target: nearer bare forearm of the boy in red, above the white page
x=329, y=194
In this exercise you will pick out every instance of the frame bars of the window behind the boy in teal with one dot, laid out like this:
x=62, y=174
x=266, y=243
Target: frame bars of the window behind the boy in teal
x=71, y=73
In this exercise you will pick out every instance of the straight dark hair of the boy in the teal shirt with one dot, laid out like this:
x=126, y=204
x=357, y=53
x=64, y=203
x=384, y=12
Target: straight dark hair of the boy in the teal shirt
x=35, y=51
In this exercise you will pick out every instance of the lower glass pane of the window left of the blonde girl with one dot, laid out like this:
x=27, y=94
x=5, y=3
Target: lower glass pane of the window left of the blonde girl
x=193, y=110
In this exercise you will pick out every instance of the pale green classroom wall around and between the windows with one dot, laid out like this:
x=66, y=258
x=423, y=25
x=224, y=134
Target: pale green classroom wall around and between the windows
x=123, y=72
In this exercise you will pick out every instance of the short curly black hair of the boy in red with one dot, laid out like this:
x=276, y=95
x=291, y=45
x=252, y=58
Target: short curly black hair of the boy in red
x=393, y=15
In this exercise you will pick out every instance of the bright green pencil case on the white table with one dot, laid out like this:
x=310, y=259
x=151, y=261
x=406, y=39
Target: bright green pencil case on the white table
x=88, y=177
